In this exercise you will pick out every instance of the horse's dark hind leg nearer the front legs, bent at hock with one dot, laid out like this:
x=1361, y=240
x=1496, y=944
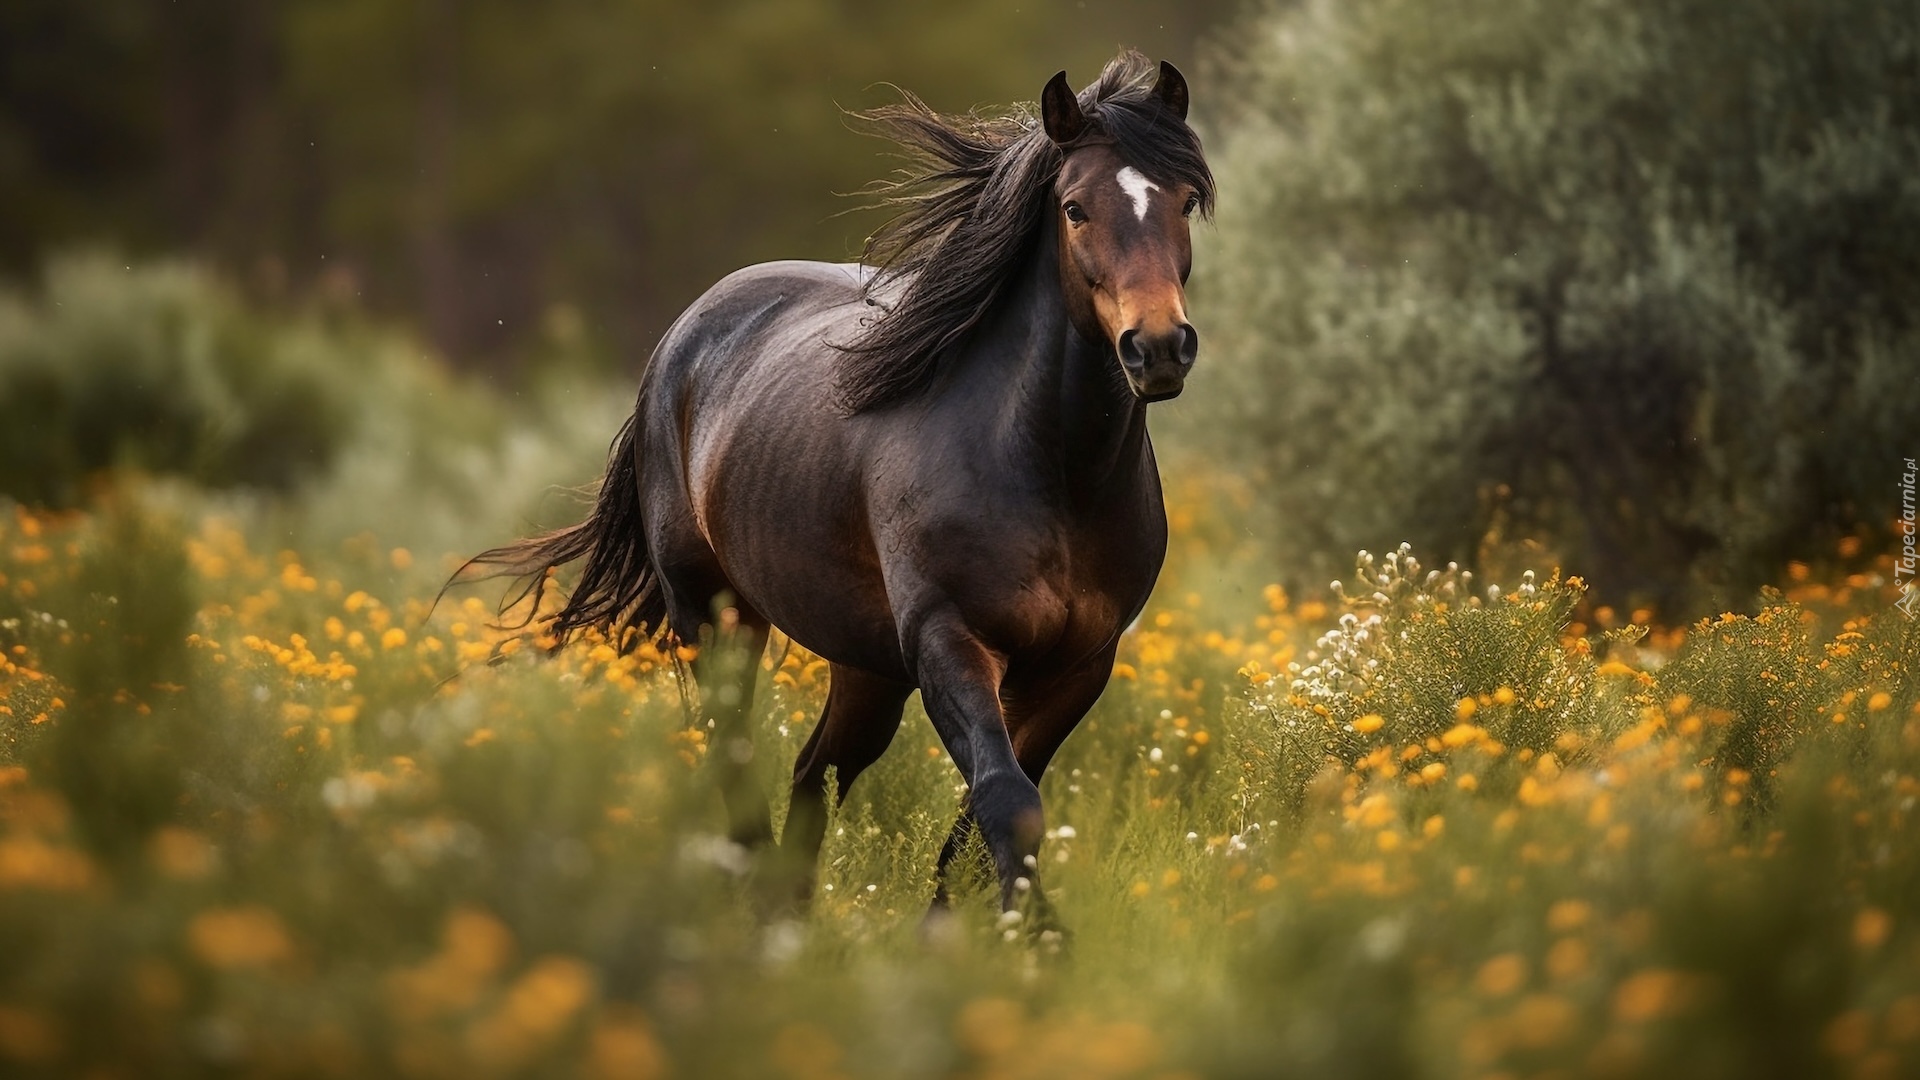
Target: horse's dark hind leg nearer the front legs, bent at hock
x=859, y=722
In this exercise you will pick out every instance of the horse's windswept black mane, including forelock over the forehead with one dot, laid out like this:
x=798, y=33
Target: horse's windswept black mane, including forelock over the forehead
x=972, y=203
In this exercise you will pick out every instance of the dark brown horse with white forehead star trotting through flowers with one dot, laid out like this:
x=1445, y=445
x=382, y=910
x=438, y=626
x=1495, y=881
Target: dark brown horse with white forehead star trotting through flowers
x=932, y=472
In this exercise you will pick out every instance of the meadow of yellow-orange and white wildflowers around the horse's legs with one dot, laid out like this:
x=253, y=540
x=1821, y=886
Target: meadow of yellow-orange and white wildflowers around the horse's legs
x=274, y=814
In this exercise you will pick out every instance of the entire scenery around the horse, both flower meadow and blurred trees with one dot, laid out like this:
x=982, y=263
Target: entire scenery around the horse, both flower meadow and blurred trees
x=304, y=301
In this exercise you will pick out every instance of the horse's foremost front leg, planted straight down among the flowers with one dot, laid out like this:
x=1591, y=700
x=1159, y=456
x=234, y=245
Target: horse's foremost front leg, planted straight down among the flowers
x=961, y=687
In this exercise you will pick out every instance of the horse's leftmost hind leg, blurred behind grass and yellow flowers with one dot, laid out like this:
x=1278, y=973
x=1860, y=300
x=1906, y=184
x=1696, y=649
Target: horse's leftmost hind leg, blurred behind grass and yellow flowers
x=727, y=670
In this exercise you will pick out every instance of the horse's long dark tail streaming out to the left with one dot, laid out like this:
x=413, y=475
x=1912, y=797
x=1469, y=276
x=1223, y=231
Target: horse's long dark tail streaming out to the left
x=619, y=587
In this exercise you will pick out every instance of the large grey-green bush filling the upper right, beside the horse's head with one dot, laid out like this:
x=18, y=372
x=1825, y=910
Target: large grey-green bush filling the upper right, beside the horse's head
x=1635, y=280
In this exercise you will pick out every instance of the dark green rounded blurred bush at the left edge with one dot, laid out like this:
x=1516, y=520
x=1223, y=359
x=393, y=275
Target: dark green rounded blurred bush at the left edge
x=160, y=370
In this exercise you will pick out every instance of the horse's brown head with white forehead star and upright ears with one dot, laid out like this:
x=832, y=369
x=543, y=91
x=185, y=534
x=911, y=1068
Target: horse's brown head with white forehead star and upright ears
x=1124, y=239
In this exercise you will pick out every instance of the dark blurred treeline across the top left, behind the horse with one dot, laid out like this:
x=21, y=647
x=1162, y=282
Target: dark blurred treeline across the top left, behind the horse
x=500, y=168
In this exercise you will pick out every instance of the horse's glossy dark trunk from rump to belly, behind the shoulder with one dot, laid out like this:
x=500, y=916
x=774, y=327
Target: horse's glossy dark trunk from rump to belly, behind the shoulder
x=750, y=468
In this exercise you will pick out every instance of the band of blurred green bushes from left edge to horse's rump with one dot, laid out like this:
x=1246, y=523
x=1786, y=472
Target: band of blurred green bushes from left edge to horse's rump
x=162, y=370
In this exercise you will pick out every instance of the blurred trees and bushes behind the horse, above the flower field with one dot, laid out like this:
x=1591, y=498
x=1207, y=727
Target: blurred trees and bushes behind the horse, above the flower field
x=1623, y=287
